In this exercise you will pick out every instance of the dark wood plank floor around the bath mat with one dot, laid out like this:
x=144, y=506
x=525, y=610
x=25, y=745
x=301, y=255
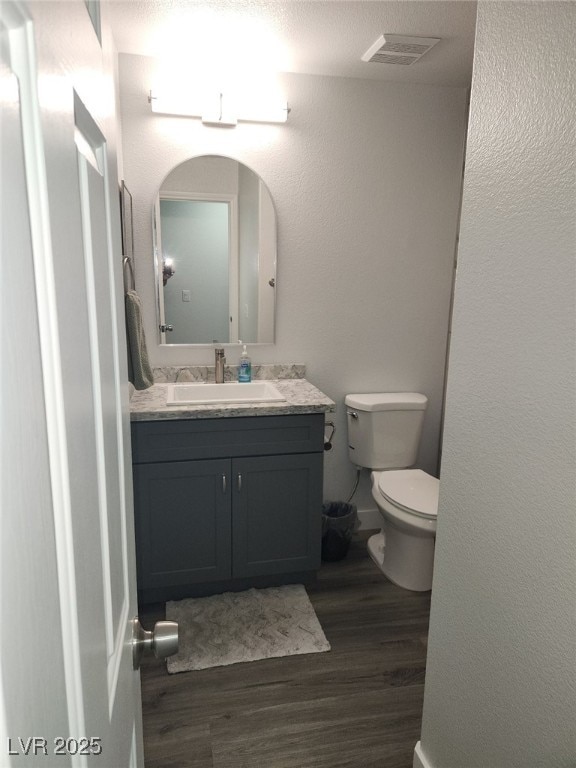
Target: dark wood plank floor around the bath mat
x=357, y=706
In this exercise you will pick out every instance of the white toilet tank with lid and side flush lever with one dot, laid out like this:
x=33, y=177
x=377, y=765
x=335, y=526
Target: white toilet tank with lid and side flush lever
x=384, y=428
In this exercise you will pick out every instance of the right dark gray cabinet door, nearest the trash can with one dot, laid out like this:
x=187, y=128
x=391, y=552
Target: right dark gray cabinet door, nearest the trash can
x=277, y=514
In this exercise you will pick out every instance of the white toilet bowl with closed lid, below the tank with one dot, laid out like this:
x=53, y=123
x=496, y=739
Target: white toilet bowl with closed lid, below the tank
x=407, y=500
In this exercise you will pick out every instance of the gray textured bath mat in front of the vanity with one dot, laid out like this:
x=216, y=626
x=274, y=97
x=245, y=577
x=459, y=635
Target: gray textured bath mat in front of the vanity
x=244, y=626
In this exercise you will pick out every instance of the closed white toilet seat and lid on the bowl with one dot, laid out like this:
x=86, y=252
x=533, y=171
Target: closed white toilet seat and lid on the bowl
x=411, y=490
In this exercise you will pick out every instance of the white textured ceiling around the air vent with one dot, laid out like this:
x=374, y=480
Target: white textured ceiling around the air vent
x=322, y=37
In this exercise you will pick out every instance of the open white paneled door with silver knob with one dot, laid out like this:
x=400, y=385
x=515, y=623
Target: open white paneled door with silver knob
x=67, y=574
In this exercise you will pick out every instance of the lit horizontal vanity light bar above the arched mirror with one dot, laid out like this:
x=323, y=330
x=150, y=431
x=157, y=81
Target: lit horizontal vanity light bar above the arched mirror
x=220, y=109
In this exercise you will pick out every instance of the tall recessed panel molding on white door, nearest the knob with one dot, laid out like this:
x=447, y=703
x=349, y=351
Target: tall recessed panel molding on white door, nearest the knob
x=103, y=329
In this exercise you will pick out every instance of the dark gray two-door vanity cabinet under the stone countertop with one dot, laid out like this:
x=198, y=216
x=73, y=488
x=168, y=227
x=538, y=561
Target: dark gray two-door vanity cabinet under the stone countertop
x=226, y=503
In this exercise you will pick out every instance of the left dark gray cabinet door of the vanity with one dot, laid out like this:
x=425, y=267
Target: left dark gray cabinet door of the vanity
x=182, y=522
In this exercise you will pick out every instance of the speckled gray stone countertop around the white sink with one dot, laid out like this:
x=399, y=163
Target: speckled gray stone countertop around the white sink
x=300, y=397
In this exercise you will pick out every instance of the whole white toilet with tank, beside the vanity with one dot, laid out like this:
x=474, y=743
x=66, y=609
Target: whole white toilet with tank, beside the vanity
x=383, y=434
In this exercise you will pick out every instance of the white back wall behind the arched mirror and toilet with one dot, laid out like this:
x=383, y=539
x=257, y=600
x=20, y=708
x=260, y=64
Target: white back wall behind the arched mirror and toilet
x=366, y=178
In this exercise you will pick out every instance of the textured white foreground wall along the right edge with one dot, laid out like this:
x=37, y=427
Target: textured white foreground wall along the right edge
x=501, y=674
